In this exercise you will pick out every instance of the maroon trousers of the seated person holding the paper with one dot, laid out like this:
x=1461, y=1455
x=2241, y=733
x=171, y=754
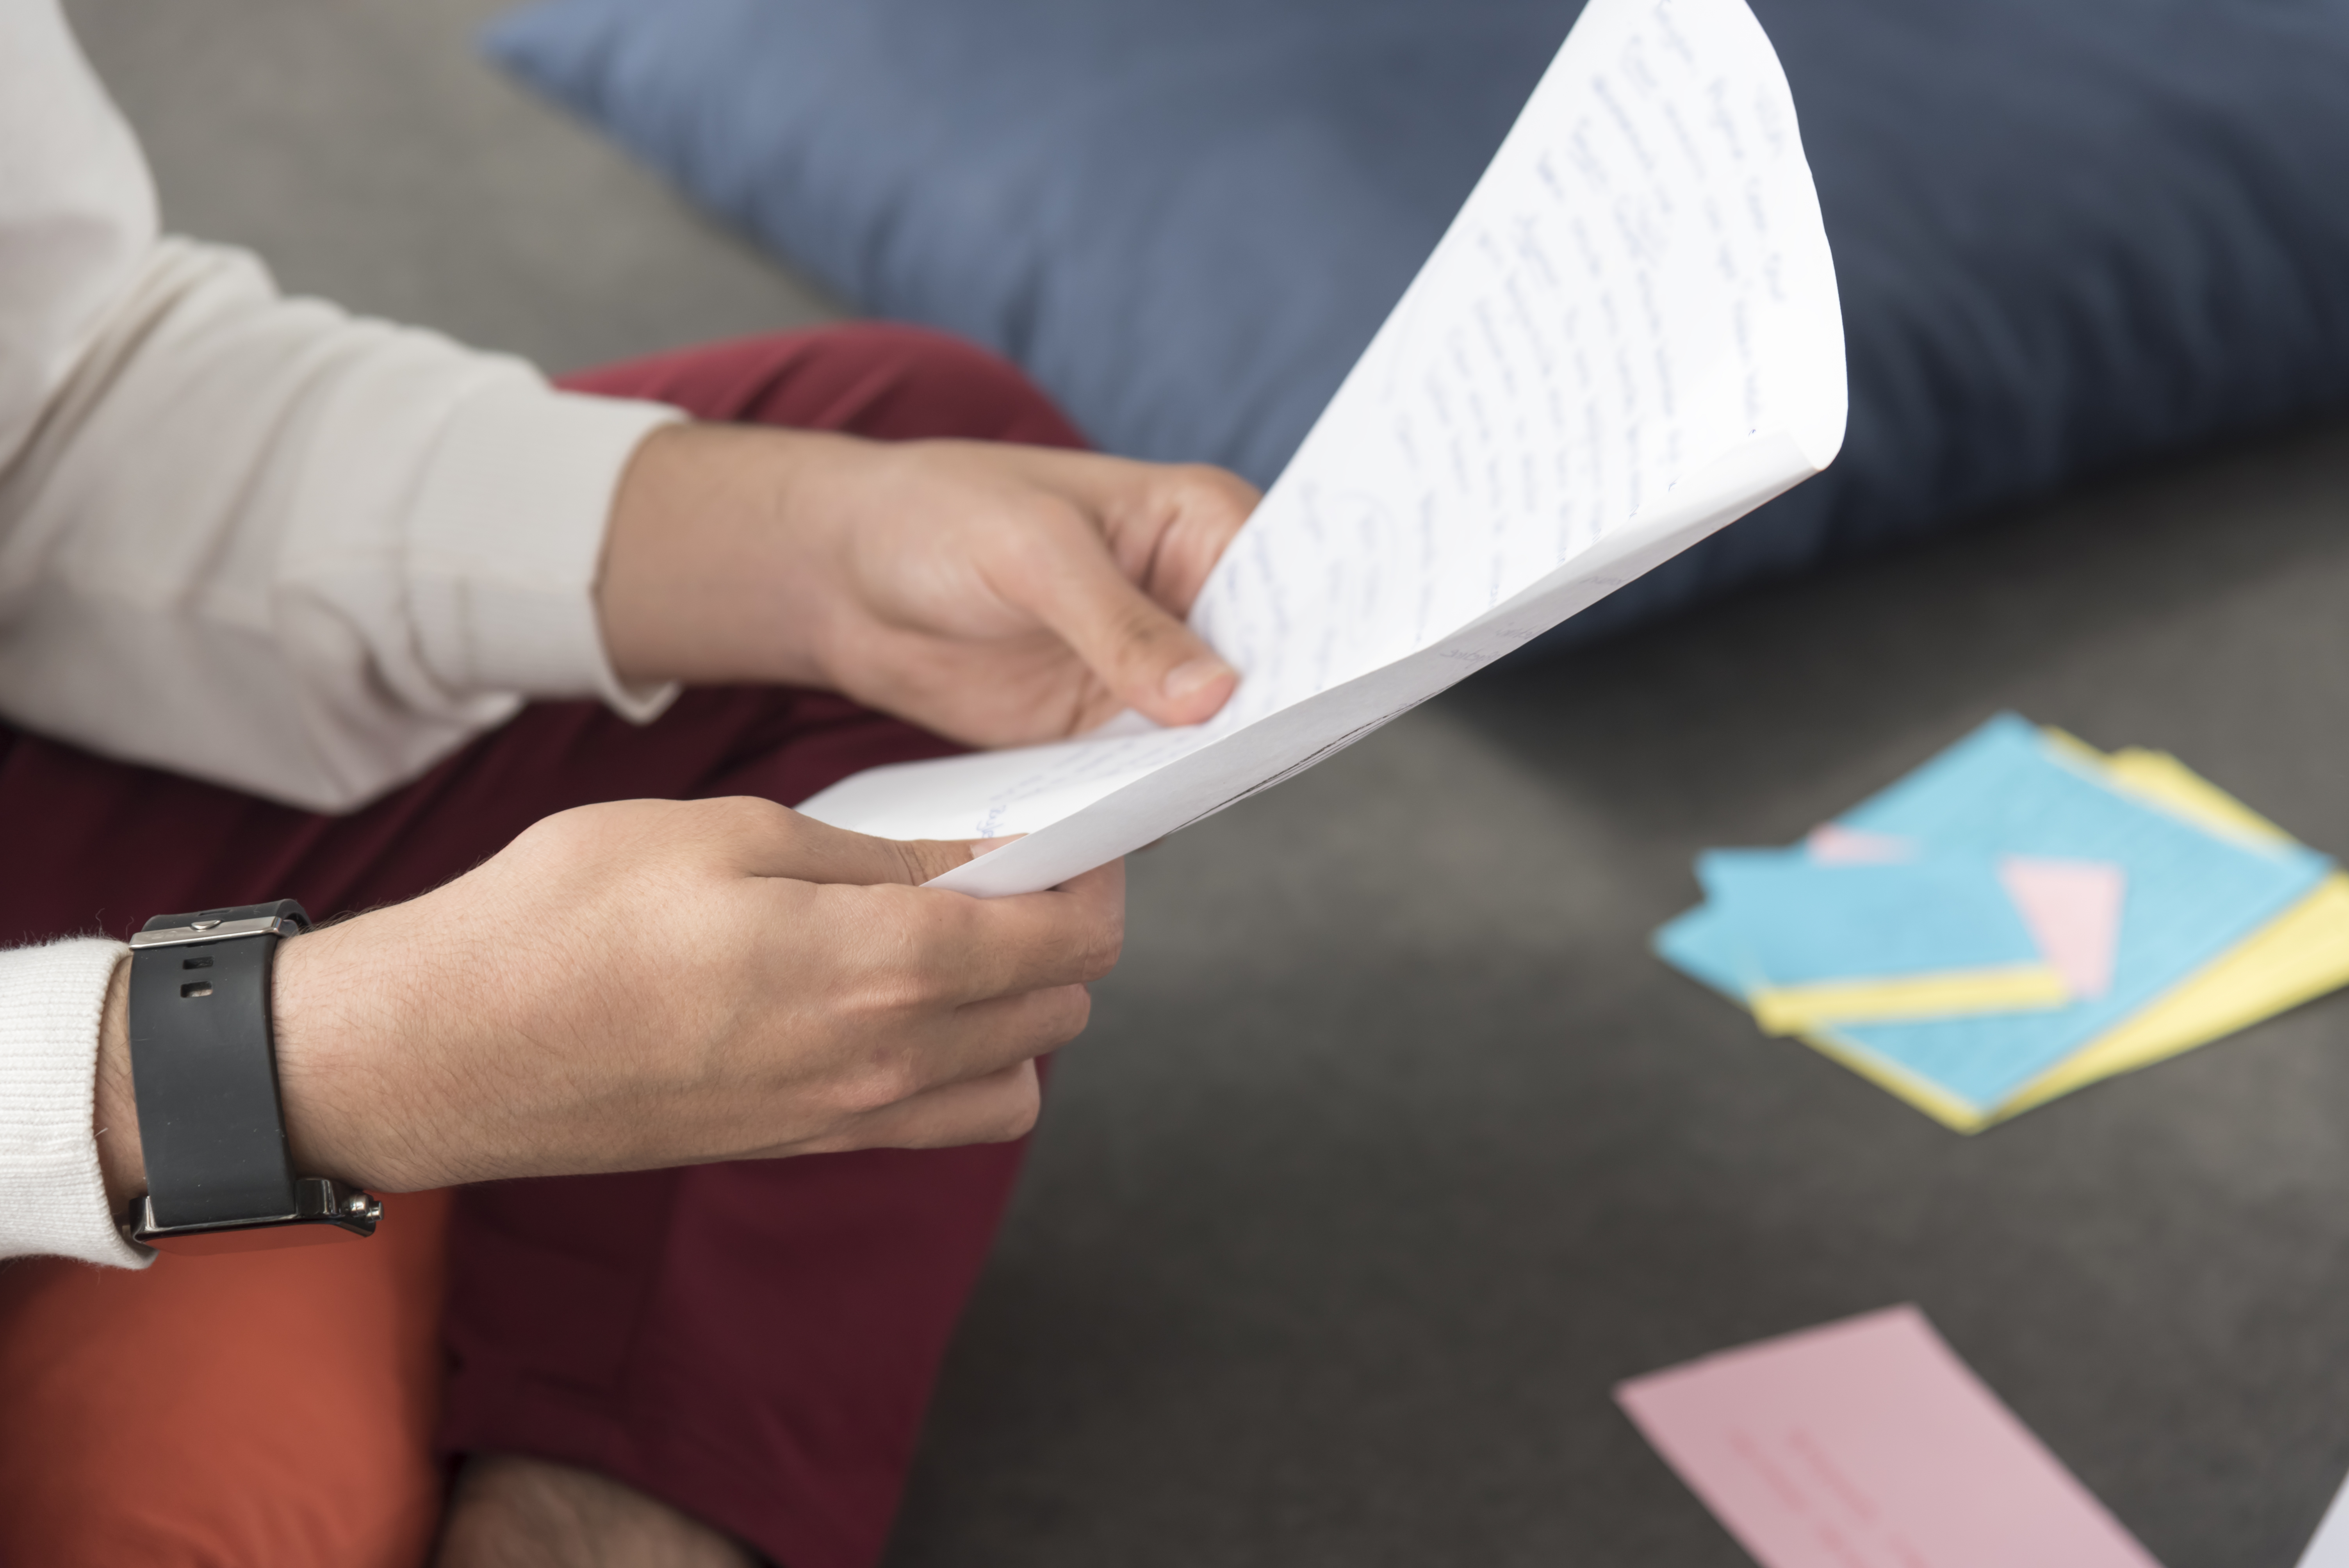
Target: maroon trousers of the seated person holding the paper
x=748, y=1341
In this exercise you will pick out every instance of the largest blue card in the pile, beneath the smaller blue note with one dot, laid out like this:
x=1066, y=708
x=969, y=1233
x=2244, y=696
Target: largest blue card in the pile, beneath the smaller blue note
x=2193, y=895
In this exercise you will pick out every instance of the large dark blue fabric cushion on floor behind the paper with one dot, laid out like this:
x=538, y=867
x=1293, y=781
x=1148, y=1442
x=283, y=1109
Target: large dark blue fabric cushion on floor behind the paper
x=2071, y=234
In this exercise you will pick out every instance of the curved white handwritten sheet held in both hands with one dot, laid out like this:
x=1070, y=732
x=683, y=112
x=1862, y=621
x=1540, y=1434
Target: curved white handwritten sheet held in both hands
x=1627, y=339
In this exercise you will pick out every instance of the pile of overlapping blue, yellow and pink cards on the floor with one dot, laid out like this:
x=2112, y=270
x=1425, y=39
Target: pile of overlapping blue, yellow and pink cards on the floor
x=2019, y=919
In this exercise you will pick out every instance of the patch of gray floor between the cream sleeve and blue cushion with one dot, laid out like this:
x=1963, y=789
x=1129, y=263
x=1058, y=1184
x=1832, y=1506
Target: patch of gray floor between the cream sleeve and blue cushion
x=370, y=158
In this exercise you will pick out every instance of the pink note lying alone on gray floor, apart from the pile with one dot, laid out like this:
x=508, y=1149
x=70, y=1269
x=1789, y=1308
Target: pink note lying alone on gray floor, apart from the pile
x=1869, y=1445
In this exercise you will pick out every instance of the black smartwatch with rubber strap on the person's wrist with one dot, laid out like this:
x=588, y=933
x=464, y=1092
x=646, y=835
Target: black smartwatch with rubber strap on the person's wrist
x=206, y=1081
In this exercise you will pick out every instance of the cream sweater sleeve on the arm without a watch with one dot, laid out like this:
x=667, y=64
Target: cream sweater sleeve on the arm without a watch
x=248, y=536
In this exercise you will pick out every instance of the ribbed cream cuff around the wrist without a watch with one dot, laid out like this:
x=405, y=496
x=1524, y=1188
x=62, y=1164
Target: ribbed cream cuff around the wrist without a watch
x=509, y=536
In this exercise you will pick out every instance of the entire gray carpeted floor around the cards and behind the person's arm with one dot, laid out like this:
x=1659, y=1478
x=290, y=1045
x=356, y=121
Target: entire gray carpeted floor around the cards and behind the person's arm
x=1392, y=1149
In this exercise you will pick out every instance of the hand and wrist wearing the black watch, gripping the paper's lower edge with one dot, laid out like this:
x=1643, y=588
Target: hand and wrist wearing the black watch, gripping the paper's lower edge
x=647, y=985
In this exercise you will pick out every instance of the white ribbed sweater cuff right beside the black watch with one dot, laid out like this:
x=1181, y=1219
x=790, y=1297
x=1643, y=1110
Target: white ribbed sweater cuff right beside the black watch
x=53, y=1198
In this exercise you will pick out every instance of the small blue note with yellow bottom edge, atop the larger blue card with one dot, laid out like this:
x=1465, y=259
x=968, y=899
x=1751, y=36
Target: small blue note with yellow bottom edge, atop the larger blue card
x=1796, y=921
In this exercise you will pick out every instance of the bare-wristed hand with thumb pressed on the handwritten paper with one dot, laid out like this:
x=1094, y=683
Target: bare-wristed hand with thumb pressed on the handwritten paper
x=999, y=595
